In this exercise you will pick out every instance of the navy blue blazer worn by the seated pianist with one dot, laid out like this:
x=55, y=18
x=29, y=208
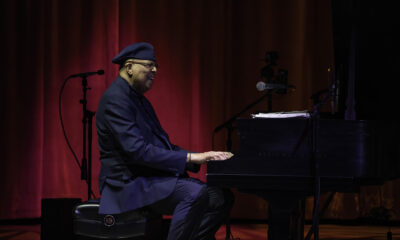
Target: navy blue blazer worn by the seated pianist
x=139, y=165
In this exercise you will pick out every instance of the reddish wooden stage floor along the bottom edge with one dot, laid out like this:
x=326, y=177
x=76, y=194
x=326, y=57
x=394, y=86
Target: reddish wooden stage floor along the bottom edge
x=239, y=231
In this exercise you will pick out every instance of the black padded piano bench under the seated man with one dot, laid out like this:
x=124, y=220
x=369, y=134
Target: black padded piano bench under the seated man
x=139, y=224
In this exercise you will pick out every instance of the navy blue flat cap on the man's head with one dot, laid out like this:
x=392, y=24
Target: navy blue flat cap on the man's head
x=141, y=50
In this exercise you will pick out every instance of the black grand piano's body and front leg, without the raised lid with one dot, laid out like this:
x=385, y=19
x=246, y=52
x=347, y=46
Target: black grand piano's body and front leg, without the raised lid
x=274, y=162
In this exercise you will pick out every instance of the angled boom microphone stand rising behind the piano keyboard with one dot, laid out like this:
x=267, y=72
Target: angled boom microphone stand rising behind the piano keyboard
x=228, y=125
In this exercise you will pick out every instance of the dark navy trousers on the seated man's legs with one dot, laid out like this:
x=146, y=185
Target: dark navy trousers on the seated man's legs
x=197, y=210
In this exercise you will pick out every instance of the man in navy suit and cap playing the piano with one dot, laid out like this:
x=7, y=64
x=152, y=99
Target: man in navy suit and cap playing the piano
x=140, y=167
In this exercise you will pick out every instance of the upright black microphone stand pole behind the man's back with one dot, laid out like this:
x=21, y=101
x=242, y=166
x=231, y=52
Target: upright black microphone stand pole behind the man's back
x=86, y=167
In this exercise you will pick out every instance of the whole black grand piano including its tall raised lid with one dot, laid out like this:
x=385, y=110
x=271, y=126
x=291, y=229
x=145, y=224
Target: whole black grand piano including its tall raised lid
x=274, y=159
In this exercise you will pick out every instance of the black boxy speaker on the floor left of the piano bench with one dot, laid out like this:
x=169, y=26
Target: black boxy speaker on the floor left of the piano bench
x=56, y=219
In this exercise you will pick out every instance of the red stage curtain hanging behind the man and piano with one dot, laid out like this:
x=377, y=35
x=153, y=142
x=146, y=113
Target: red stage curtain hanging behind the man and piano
x=210, y=54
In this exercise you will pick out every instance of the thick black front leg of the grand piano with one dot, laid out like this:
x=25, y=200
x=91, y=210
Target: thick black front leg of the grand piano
x=281, y=205
